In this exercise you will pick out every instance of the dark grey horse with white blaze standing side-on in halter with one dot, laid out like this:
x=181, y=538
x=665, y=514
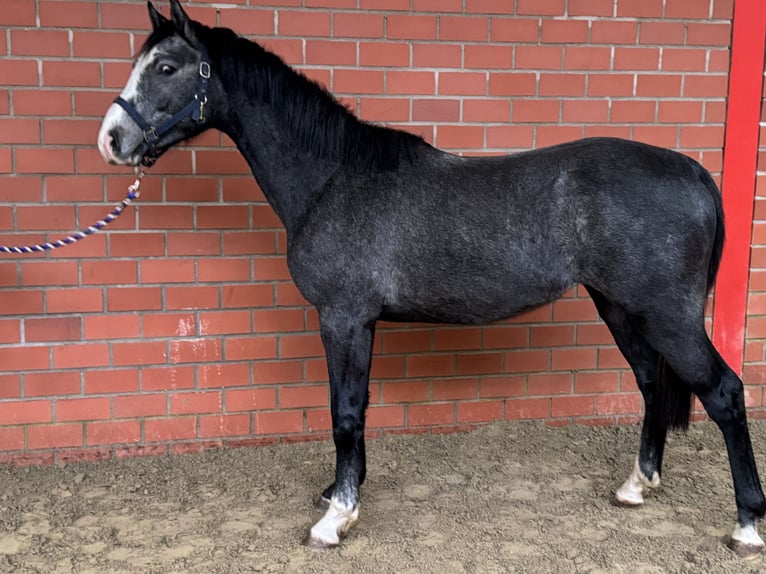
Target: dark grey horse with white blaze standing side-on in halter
x=383, y=226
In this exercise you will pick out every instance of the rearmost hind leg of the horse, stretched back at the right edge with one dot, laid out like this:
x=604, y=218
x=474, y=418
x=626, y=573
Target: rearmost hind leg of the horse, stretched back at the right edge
x=691, y=355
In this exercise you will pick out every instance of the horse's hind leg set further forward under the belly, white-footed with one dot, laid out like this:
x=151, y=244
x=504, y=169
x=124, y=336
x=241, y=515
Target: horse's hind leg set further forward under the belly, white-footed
x=644, y=361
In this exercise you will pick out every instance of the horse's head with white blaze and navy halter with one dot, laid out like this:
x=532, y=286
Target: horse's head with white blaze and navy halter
x=165, y=99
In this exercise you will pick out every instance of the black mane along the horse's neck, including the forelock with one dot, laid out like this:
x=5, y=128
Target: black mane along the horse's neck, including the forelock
x=340, y=135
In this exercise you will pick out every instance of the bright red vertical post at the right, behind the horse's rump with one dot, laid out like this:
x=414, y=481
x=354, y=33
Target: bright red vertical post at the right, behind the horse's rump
x=739, y=168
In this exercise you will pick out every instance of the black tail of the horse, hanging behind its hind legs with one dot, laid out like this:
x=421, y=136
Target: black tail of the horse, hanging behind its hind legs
x=672, y=405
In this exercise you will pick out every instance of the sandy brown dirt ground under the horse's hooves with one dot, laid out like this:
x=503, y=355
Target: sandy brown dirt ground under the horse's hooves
x=510, y=497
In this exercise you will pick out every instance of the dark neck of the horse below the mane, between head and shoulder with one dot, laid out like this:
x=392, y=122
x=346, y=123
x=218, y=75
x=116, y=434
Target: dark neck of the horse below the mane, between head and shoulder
x=288, y=173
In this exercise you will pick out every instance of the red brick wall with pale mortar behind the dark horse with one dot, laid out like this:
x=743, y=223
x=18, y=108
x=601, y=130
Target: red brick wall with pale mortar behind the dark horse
x=180, y=328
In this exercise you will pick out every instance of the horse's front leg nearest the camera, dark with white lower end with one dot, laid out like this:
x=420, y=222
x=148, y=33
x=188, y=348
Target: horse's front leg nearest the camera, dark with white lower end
x=348, y=346
